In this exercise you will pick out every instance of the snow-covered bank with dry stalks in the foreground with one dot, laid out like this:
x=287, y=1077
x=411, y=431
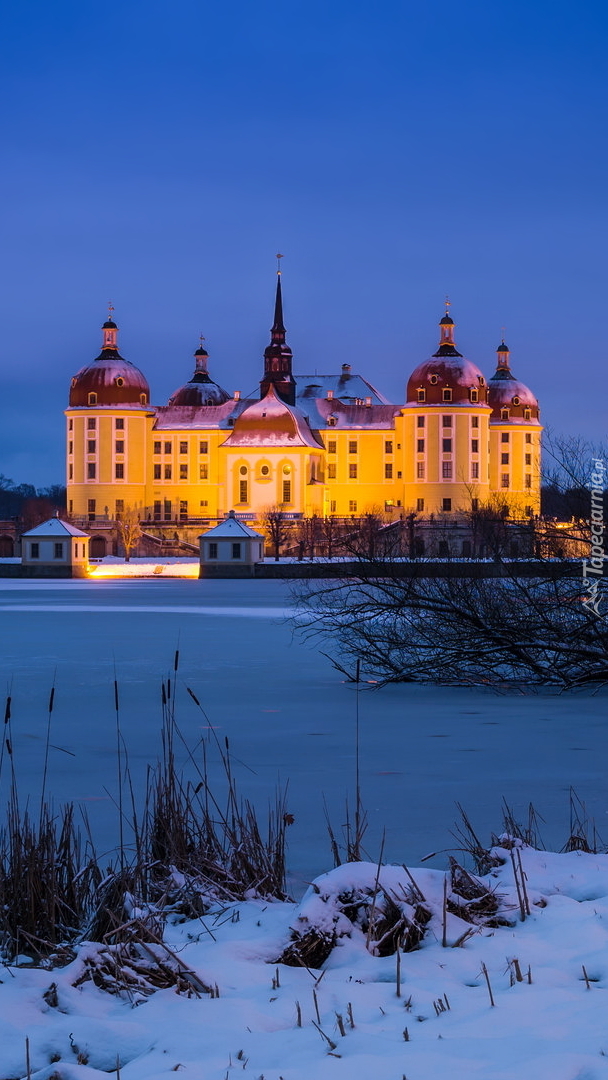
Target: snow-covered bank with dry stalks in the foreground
x=346, y=1022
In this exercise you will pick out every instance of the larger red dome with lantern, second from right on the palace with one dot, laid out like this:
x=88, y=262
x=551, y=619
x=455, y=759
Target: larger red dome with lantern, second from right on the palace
x=448, y=376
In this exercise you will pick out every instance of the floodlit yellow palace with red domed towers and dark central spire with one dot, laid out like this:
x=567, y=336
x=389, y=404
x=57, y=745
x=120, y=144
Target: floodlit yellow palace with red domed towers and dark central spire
x=310, y=444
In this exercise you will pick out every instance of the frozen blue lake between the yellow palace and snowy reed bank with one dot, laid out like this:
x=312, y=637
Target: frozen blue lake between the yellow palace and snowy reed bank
x=288, y=713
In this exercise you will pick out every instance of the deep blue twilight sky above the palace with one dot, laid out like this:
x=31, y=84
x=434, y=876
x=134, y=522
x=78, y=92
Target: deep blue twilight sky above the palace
x=159, y=154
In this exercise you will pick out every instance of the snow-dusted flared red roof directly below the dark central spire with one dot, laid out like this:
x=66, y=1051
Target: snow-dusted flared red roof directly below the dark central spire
x=272, y=423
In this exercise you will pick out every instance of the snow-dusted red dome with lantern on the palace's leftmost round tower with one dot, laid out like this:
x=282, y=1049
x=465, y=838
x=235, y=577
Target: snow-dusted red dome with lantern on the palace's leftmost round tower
x=110, y=380
